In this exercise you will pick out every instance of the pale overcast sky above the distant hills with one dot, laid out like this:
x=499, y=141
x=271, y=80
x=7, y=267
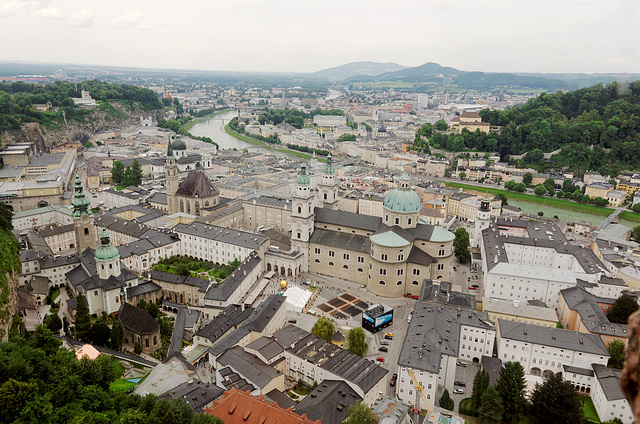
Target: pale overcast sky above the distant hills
x=306, y=36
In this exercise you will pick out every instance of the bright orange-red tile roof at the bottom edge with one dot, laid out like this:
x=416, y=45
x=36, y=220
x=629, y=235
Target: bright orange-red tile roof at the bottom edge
x=238, y=407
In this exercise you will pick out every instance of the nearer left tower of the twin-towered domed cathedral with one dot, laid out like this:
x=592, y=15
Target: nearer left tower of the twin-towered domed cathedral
x=302, y=216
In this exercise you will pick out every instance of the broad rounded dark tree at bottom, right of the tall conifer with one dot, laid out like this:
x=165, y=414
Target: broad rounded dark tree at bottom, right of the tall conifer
x=556, y=402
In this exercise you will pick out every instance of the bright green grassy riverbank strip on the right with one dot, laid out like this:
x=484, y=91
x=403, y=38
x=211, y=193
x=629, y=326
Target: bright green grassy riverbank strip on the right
x=548, y=201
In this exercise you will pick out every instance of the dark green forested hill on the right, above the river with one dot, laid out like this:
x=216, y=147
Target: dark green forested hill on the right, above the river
x=597, y=128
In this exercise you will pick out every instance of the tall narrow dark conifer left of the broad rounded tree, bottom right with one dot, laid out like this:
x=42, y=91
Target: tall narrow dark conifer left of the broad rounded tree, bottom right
x=512, y=388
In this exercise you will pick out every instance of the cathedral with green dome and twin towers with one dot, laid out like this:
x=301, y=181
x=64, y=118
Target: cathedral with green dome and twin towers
x=390, y=255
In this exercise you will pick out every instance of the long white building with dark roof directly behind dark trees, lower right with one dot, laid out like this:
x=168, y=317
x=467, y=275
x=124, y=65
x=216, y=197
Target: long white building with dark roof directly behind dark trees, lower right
x=543, y=350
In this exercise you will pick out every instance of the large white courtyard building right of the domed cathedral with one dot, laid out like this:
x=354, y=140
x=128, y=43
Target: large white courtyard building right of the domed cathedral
x=524, y=260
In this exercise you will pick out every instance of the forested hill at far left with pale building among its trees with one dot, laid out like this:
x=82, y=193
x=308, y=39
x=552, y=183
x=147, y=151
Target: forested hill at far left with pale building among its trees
x=17, y=101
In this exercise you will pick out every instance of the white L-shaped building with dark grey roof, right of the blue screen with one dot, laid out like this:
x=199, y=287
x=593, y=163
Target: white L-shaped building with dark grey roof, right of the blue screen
x=436, y=338
